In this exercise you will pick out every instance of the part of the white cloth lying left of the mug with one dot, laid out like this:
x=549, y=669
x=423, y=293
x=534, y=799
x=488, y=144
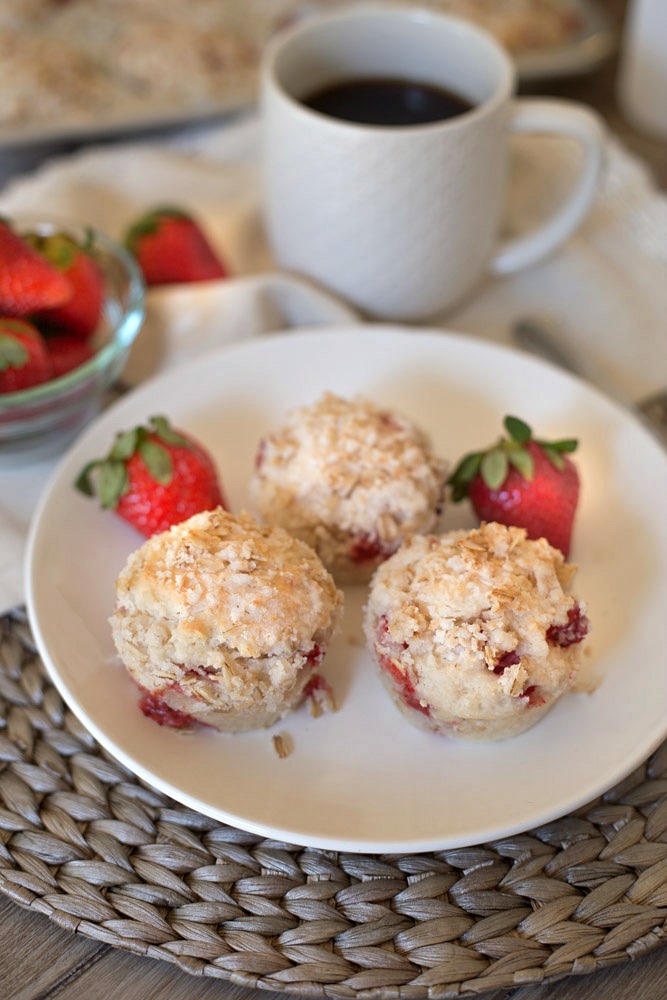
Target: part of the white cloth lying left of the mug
x=108, y=187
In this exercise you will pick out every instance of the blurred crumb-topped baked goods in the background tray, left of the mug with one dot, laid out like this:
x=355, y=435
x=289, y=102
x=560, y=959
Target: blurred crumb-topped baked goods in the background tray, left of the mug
x=84, y=60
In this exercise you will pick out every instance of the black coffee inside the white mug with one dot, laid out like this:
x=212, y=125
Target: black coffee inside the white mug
x=385, y=101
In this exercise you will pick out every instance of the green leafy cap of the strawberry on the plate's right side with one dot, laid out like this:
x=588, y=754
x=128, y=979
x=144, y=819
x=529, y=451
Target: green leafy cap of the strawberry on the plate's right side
x=493, y=464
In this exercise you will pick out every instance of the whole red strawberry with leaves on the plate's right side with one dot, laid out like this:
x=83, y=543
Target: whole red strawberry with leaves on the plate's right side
x=522, y=481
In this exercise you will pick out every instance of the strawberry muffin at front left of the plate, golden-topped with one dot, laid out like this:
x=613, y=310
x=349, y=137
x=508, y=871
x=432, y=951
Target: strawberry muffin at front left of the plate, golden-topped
x=223, y=622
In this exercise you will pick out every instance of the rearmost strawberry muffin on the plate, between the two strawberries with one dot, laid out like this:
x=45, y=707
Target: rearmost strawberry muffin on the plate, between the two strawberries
x=351, y=479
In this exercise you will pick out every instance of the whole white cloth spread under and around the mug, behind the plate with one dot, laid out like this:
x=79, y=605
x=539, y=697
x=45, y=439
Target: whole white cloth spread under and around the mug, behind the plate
x=606, y=289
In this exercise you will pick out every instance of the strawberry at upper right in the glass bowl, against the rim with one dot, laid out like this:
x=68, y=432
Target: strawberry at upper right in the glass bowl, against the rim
x=80, y=315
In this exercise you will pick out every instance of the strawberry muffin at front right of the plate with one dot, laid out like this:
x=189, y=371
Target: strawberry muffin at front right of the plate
x=475, y=633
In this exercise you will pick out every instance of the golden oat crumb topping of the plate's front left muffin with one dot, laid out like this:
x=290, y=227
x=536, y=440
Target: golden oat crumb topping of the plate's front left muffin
x=264, y=591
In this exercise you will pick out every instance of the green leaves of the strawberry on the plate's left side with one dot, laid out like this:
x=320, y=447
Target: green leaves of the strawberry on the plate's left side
x=110, y=473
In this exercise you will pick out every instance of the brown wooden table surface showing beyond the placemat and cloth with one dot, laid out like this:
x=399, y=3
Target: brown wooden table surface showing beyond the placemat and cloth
x=40, y=960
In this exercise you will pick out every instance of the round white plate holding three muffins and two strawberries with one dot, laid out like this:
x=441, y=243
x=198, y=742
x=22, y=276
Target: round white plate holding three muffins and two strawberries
x=361, y=778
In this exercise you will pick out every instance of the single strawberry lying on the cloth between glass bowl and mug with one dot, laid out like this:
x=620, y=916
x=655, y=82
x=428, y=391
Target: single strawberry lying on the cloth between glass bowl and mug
x=170, y=246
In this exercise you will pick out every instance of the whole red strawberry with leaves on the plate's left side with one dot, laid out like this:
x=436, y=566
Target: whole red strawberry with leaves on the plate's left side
x=154, y=477
